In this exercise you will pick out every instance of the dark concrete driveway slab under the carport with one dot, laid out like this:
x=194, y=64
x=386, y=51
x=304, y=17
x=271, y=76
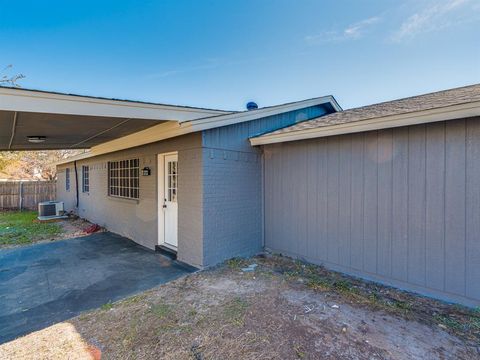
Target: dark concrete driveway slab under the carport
x=47, y=283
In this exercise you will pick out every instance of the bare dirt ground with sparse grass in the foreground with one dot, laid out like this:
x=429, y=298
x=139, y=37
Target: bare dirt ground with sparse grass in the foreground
x=283, y=309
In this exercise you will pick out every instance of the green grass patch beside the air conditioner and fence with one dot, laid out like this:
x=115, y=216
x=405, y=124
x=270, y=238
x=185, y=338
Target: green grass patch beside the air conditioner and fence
x=22, y=227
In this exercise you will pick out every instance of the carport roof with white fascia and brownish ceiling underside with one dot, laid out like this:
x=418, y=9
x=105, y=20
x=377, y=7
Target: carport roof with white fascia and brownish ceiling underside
x=79, y=122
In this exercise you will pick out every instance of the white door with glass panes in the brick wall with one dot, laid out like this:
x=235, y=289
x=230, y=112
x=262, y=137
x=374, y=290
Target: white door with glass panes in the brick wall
x=168, y=199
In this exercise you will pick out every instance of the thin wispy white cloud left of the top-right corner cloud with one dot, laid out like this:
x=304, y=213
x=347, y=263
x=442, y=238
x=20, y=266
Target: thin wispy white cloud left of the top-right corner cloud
x=351, y=32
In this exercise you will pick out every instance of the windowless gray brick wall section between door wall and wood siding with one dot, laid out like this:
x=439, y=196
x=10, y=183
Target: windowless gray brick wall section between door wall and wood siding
x=232, y=204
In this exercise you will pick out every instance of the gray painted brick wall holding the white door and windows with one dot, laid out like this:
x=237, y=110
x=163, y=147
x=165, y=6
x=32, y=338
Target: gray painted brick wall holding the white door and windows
x=137, y=219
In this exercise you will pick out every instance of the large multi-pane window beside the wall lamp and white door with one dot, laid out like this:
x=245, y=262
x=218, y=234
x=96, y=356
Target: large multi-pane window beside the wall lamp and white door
x=124, y=178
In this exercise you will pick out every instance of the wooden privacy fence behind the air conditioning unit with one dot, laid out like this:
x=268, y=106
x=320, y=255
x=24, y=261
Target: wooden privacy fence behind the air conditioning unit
x=19, y=195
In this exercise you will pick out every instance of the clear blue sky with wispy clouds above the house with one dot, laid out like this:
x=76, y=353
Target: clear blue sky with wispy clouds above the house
x=221, y=54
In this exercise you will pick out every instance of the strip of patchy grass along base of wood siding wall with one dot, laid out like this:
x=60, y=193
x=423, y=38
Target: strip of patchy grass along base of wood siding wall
x=456, y=319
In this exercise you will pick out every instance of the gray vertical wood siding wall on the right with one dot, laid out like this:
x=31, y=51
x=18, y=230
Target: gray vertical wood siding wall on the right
x=401, y=205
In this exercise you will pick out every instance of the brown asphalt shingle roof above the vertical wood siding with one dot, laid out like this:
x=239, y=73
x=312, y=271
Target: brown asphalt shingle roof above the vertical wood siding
x=429, y=101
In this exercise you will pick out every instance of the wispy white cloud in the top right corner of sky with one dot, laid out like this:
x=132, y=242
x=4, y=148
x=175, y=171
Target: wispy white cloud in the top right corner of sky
x=438, y=15
